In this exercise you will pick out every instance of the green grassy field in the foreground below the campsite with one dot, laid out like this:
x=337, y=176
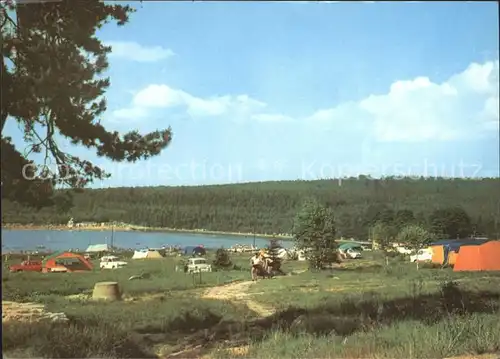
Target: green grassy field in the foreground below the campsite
x=362, y=310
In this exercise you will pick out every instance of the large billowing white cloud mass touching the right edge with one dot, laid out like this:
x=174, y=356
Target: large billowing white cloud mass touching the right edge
x=464, y=106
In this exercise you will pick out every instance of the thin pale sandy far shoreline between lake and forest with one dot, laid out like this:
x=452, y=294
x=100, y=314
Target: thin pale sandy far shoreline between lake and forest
x=132, y=228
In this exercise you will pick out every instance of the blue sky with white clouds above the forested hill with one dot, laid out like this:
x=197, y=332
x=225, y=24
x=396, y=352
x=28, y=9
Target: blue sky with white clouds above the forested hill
x=258, y=91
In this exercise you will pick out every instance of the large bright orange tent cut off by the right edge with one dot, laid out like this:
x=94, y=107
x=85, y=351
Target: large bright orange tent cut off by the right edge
x=485, y=257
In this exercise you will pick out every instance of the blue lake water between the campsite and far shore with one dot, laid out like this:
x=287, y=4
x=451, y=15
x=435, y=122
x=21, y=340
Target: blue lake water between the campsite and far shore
x=17, y=240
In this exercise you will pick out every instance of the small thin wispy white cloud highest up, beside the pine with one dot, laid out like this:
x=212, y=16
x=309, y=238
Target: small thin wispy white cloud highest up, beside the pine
x=136, y=52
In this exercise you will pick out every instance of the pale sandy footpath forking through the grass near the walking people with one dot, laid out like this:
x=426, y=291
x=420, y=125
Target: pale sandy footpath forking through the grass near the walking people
x=238, y=293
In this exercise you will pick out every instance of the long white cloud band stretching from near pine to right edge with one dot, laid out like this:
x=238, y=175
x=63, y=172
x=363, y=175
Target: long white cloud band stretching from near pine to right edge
x=464, y=106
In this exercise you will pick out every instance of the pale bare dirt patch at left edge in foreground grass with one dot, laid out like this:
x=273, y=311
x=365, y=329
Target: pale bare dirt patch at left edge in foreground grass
x=28, y=312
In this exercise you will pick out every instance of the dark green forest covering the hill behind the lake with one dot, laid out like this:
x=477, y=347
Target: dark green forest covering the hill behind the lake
x=270, y=207
